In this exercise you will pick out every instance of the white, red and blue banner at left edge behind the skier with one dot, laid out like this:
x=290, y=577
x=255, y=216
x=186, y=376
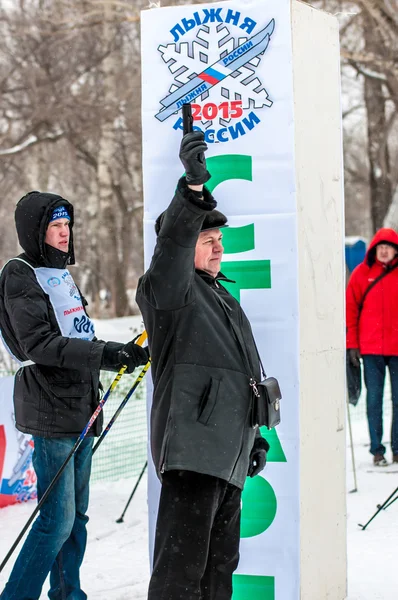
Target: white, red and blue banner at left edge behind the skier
x=17, y=477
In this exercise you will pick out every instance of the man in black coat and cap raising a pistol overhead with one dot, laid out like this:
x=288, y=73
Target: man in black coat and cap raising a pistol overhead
x=204, y=367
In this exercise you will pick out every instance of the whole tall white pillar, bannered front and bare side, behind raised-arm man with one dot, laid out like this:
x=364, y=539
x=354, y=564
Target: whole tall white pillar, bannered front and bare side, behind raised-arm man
x=264, y=81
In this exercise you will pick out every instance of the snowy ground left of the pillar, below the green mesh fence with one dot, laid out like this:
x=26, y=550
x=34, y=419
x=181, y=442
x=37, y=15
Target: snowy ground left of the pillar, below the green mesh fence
x=116, y=565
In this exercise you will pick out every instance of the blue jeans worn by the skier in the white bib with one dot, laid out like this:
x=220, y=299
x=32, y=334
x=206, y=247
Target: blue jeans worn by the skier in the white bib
x=57, y=539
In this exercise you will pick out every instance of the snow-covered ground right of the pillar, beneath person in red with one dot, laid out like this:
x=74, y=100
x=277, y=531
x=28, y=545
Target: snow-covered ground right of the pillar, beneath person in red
x=371, y=553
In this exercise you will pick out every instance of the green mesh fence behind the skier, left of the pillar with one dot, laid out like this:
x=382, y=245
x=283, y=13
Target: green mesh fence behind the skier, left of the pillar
x=123, y=451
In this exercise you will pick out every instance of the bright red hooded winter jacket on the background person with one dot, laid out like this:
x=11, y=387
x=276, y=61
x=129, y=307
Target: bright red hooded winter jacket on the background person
x=377, y=330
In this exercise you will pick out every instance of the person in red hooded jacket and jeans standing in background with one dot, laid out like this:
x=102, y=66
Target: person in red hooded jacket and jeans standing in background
x=372, y=333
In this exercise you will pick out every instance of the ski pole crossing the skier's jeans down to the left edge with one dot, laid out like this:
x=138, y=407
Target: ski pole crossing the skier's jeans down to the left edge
x=83, y=434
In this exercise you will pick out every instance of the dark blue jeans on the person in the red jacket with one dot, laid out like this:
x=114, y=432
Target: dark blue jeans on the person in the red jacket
x=375, y=372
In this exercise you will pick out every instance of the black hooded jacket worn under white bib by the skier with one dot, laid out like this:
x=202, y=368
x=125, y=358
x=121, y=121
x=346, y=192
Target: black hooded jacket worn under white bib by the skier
x=56, y=396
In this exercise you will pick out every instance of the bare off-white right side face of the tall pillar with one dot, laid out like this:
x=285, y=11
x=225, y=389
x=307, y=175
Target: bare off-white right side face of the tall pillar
x=320, y=221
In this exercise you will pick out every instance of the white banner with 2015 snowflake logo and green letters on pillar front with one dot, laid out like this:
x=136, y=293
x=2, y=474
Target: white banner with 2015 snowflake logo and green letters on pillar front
x=233, y=62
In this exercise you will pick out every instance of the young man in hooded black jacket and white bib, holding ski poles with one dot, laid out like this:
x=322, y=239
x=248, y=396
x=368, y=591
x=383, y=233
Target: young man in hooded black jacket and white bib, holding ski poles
x=45, y=327
